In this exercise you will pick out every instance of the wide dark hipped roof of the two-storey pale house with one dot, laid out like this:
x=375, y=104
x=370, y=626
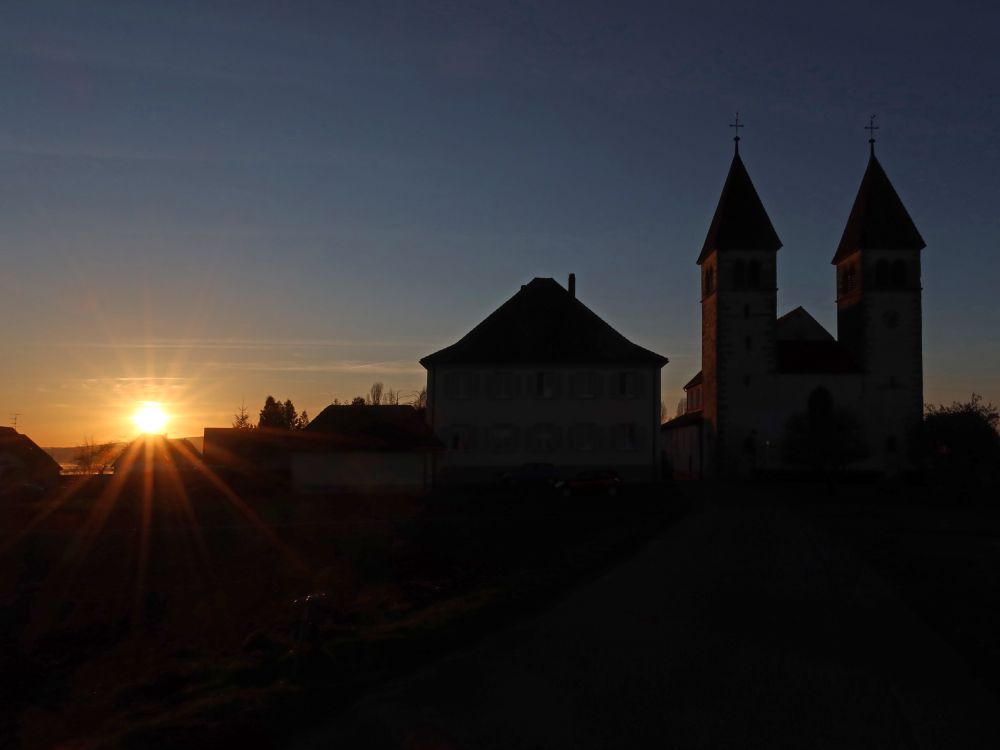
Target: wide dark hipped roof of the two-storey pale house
x=543, y=324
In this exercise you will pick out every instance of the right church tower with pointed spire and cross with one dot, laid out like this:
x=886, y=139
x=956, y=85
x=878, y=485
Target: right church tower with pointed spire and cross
x=879, y=310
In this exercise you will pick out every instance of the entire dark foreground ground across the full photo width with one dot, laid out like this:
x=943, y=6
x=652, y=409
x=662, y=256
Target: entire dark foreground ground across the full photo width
x=685, y=616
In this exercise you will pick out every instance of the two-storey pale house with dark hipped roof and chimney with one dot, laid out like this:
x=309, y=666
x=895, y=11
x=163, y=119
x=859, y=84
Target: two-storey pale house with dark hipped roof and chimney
x=544, y=380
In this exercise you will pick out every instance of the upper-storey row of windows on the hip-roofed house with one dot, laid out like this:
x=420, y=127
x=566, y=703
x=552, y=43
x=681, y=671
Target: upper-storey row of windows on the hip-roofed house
x=544, y=384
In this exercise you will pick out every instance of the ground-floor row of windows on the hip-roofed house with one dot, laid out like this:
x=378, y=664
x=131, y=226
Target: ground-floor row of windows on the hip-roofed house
x=545, y=438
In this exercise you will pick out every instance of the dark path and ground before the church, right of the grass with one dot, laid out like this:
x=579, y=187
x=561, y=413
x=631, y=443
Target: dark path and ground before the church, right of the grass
x=770, y=617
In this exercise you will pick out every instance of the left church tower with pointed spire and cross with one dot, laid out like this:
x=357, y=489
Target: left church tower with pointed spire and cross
x=738, y=320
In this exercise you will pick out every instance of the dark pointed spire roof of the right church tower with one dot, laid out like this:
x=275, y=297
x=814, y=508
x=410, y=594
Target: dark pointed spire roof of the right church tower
x=878, y=220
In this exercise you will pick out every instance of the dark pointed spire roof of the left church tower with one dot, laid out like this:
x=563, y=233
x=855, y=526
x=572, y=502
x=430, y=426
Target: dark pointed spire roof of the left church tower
x=740, y=221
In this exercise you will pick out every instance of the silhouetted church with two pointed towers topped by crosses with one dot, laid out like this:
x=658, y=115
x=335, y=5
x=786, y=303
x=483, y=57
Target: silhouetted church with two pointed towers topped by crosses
x=776, y=392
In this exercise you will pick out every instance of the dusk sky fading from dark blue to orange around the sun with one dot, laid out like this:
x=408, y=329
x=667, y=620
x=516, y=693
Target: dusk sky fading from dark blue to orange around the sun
x=203, y=203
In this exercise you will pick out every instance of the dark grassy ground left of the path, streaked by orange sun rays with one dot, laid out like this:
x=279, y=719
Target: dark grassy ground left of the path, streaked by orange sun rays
x=183, y=613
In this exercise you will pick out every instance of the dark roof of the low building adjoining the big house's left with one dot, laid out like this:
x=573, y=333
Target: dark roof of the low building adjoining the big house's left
x=386, y=428
